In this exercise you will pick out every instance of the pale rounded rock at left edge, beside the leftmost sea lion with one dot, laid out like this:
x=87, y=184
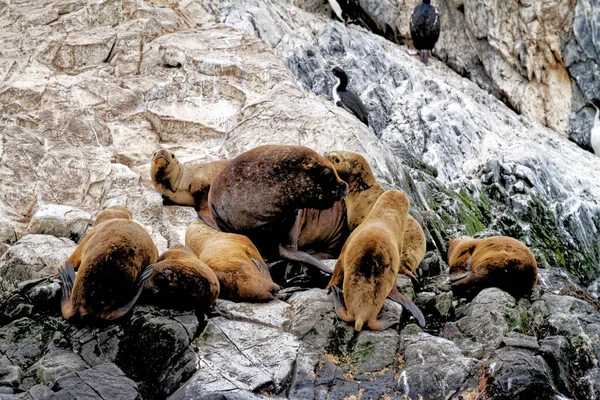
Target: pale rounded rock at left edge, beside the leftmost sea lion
x=32, y=257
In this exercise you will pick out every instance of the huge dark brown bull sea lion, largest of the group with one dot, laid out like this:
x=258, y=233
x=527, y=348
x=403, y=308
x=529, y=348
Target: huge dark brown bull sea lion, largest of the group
x=260, y=194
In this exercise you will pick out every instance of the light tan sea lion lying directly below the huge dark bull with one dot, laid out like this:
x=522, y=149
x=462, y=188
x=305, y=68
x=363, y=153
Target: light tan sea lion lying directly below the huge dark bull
x=242, y=273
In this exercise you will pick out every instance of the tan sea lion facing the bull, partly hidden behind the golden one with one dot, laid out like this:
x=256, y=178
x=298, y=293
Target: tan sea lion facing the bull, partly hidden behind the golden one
x=363, y=192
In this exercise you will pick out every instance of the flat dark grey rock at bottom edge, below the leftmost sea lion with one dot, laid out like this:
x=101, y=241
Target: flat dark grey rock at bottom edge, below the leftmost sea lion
x=105, y=381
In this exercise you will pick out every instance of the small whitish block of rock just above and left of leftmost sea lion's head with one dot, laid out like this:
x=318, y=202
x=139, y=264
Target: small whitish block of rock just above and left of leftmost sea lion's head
x=59, y=221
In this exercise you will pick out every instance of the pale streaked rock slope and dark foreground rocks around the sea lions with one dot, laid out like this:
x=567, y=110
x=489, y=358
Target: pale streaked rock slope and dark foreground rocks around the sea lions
x=91, y=89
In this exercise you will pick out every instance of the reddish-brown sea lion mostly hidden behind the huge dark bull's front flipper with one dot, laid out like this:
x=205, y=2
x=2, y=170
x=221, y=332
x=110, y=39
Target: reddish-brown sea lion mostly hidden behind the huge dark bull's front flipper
x=322, y=233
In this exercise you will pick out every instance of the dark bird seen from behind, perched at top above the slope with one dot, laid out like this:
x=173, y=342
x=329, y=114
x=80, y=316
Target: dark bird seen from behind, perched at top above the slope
x=424, y=28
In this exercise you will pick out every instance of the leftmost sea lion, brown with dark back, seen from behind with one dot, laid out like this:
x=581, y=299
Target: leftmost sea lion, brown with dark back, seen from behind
x=113, y=261
